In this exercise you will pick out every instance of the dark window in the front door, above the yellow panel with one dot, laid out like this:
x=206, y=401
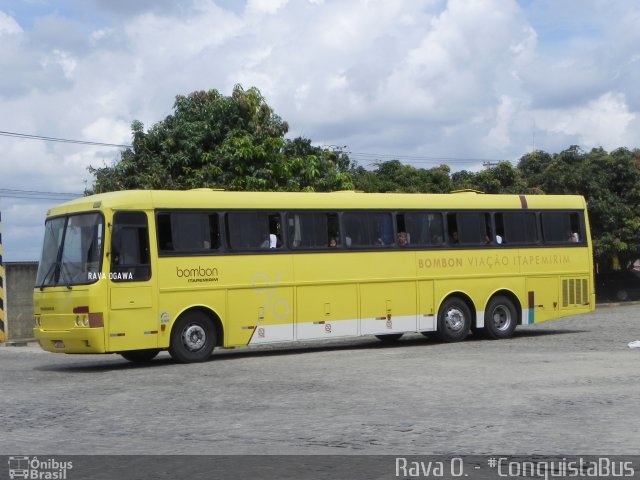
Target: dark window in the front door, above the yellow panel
x=130, y=259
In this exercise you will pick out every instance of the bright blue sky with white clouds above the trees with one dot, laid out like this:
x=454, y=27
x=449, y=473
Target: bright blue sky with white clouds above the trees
x=428, y=82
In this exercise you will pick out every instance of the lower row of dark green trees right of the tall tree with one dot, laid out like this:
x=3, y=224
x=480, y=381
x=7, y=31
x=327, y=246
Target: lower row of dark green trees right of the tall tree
x=609, y=181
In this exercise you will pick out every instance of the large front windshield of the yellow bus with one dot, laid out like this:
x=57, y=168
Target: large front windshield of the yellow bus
x=72, y=250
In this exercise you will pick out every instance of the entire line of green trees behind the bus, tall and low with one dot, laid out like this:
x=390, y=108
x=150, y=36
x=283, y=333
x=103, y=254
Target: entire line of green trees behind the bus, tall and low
x=237, y=142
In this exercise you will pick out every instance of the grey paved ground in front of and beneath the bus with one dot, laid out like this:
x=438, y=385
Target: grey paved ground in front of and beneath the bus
x=570, y=386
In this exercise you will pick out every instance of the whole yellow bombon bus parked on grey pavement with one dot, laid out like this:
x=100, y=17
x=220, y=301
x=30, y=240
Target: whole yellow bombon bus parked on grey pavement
x=138, y=272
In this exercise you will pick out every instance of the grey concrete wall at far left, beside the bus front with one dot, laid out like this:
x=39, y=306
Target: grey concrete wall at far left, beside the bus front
x=20, y=277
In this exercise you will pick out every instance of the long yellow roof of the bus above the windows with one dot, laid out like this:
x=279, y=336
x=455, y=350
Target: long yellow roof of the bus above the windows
x=204, y=198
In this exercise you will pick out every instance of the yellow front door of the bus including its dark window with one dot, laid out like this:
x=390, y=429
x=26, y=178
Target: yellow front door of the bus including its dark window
x=133, y=323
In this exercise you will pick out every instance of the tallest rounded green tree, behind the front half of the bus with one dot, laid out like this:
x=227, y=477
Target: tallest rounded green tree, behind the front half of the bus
x=233, y=142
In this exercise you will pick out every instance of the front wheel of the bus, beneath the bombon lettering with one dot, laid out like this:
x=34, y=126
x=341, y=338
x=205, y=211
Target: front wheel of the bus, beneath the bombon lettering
x=192, y=338
